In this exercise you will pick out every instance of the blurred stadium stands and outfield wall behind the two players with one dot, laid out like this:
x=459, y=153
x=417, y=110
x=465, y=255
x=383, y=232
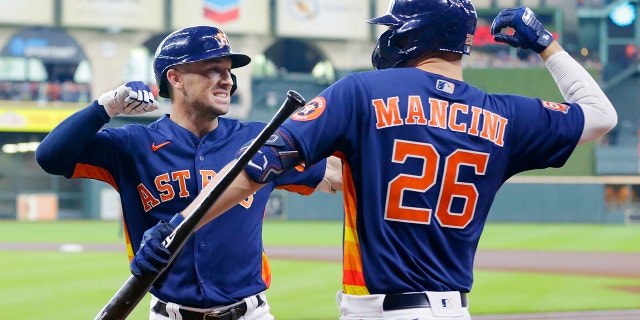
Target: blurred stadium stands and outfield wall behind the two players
x=56, y=59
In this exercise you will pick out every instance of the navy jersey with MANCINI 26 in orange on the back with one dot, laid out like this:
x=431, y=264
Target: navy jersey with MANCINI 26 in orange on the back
x=423, y=163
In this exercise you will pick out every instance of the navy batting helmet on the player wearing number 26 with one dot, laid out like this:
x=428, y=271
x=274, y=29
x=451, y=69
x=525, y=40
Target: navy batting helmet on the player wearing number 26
x=418, y=26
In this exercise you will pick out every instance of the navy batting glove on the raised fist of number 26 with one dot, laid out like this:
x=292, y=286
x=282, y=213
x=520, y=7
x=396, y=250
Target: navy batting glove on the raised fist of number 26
x=529, y=32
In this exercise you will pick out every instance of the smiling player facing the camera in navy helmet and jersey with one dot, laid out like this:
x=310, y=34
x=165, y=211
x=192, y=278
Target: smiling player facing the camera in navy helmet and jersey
x=159, y=169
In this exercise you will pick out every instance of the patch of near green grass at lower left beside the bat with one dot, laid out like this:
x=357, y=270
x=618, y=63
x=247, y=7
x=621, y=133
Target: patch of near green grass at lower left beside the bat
x=58, y=285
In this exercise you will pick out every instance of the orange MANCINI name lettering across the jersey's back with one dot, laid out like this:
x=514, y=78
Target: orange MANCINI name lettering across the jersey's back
x=441, y=114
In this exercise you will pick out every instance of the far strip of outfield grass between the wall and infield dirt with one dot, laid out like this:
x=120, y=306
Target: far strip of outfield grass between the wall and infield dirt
x=578, y=237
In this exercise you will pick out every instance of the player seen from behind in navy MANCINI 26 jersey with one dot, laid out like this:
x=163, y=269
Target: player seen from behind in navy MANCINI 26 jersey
x=425, y=153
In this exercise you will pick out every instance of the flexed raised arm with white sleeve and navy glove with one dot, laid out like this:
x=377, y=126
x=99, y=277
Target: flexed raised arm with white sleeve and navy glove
x=574, y=82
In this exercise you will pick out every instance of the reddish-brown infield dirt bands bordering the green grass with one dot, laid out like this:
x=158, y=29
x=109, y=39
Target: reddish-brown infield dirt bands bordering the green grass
x=582, y=263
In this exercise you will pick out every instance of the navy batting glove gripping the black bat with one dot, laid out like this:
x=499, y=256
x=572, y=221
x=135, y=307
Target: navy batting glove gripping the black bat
x=153, y=256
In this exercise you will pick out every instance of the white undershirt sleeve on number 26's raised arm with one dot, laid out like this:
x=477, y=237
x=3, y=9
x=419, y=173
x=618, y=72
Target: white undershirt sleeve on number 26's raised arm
x=577, y=86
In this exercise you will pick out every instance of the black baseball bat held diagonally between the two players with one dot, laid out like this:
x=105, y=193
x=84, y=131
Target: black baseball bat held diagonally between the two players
x=134, y=289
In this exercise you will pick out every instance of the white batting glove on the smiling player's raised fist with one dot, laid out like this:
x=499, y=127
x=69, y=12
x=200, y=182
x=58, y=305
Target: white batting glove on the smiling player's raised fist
x=133, y=97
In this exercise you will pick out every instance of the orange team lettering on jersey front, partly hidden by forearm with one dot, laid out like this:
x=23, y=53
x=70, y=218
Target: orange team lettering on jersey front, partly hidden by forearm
x=168, y=186
